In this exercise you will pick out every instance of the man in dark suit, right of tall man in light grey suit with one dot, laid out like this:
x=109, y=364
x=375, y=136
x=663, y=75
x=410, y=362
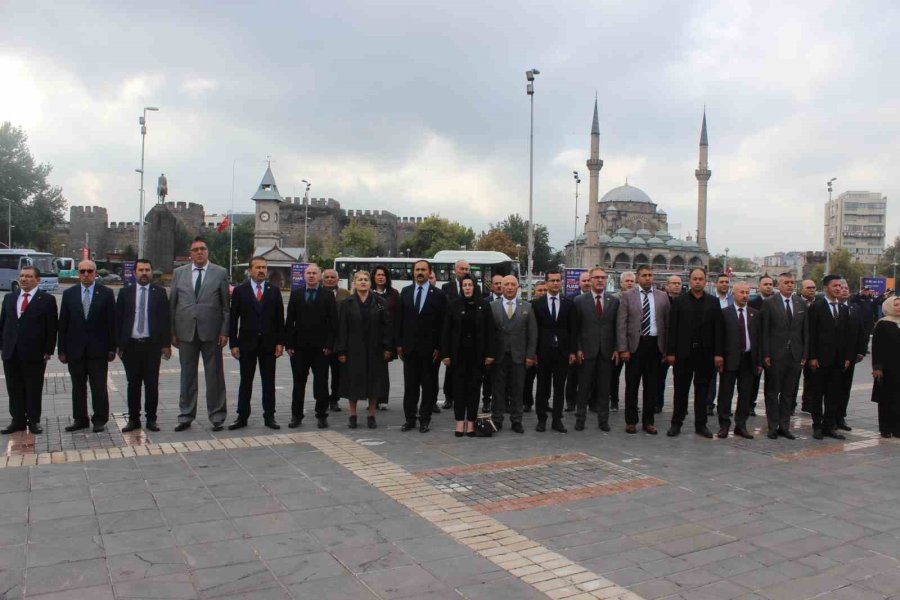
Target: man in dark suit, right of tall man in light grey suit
x=256, y=336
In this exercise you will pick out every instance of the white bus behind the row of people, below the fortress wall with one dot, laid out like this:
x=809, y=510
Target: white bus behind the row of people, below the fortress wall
x=483, y=265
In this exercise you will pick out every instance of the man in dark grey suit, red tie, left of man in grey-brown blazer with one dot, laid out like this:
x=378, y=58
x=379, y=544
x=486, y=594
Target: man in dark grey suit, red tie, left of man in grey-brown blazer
x=595, y=342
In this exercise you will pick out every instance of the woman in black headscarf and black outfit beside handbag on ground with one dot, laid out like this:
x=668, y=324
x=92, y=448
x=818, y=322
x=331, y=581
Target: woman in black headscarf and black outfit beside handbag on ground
x=466, y=344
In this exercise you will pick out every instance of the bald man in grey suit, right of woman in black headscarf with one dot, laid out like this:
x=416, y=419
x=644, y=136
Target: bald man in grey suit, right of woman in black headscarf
x=515, y=349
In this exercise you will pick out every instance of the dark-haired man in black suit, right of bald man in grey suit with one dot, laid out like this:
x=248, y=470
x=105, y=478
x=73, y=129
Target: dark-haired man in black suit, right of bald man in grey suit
x=555, y=316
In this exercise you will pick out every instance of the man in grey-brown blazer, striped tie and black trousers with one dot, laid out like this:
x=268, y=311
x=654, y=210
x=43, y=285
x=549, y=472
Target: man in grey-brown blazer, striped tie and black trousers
x=641, y=327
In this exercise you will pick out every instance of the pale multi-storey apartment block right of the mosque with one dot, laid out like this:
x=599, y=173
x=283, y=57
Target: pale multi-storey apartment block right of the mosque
x=855, y=221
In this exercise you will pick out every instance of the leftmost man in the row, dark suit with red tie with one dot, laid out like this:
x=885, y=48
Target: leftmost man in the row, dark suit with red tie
x=28, y=333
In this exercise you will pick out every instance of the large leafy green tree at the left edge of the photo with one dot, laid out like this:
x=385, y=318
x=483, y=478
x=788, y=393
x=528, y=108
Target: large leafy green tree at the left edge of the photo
x=37, y=207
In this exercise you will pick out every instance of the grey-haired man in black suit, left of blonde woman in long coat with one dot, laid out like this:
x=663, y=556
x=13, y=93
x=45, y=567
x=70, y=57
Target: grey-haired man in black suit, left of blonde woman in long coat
x=309, y=338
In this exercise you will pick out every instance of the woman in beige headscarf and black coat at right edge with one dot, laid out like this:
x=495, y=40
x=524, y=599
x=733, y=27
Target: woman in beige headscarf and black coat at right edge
x=886, y=368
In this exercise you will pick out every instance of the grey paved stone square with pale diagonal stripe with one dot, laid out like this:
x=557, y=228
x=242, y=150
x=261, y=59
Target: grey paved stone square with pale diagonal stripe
x=373, y=514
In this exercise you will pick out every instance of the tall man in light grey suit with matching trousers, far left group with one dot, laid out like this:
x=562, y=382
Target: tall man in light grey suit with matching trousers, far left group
x=200, y=314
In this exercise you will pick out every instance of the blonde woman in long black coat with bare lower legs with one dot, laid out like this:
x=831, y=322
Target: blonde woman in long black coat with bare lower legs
x=364, y=347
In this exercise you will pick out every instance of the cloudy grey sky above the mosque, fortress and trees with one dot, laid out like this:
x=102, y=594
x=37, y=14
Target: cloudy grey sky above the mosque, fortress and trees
x=420, y=108
